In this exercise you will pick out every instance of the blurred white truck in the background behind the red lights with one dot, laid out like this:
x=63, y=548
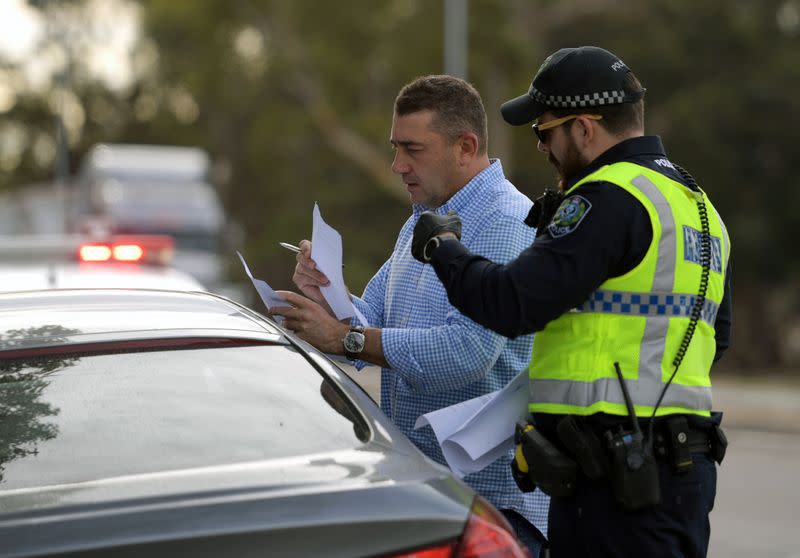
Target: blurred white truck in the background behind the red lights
x=154, y=189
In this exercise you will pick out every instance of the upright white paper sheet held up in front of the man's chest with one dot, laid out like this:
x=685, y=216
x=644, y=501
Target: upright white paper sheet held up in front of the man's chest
x=326, y=251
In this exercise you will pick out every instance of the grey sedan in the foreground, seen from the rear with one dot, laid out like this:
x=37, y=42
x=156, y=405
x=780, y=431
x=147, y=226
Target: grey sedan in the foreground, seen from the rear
x=155, y=423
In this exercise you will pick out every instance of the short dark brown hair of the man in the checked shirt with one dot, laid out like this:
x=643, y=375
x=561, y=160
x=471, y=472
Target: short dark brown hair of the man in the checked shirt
x=456, y=105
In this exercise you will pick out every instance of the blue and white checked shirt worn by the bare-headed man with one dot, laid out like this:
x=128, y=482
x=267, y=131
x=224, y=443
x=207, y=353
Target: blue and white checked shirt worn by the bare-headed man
x=439, y=357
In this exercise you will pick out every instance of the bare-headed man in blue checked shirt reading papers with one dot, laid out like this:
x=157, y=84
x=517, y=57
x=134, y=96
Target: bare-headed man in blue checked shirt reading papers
x=431, y=355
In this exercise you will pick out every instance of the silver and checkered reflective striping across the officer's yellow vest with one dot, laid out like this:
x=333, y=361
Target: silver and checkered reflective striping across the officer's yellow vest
x=647, y=388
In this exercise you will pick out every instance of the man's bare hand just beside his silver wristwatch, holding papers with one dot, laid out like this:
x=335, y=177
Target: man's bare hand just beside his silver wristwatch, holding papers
x=312, y=323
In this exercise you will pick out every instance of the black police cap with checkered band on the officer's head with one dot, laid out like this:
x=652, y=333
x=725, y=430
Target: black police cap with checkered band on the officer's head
x=581, y=77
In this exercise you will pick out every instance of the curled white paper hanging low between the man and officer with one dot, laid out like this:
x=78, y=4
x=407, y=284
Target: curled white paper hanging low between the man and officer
x=476, y=432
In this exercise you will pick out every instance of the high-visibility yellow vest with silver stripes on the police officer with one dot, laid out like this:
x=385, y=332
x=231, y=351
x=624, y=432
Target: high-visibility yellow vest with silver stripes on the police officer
x=638, y=319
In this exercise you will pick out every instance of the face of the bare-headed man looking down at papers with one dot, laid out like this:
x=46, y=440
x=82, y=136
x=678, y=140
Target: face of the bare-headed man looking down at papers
x=423, y=158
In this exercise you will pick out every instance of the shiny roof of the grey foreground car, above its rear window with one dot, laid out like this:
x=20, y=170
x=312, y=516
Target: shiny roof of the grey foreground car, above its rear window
x=62, y=317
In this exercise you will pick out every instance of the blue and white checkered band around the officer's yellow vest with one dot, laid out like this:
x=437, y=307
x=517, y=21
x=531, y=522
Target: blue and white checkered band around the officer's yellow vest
x=670, y=305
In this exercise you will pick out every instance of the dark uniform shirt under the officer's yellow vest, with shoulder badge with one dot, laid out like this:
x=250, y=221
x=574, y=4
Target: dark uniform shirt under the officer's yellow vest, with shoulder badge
x=556, y=274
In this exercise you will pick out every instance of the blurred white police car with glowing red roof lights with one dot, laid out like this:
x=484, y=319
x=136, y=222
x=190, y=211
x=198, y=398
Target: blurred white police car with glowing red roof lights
x=81, y=261
